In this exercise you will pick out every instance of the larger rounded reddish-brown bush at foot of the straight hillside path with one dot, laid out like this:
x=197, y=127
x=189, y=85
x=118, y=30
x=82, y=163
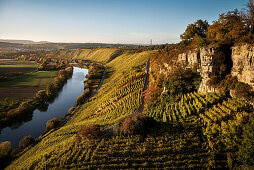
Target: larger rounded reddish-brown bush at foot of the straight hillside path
x=134, y=125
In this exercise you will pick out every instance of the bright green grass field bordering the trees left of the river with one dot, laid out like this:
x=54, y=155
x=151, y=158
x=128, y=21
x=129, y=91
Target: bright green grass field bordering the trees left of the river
x=34, y=79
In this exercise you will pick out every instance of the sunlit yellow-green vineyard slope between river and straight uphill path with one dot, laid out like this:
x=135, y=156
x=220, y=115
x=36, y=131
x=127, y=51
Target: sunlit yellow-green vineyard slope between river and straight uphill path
x=118, y=97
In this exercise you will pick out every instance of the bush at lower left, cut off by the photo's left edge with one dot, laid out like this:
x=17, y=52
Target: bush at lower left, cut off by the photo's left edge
x=5, y=151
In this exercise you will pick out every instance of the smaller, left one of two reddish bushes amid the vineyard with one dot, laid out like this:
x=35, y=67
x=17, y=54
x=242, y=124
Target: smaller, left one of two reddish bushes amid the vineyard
x=89, y=132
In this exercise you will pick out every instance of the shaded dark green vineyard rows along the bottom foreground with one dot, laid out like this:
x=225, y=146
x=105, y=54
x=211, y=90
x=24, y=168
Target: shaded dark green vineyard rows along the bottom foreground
x=157, y=151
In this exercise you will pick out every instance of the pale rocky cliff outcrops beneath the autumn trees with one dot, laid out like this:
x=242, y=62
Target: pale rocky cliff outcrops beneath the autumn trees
x=211, y=60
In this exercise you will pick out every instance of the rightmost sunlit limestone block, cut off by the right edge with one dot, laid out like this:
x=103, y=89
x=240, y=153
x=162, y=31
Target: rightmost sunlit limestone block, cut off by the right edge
x=243, y=63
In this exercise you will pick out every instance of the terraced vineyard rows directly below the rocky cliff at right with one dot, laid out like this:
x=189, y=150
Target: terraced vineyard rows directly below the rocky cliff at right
x=222, y=120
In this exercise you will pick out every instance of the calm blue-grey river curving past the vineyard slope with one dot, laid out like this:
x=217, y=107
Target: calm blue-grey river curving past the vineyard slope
x=59, y=107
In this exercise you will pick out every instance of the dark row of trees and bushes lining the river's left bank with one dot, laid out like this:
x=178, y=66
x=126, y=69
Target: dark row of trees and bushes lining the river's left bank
x=23, y=111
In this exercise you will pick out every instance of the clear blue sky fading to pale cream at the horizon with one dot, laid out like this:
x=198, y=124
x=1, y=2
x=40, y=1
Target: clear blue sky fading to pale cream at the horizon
x=107, y=21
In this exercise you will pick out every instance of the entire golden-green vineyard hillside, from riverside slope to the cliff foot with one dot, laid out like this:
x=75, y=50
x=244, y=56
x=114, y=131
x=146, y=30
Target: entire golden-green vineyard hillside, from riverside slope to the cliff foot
x=199, y=131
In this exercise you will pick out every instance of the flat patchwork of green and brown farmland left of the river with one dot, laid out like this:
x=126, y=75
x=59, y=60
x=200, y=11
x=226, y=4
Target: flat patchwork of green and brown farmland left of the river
x=25, y=85
